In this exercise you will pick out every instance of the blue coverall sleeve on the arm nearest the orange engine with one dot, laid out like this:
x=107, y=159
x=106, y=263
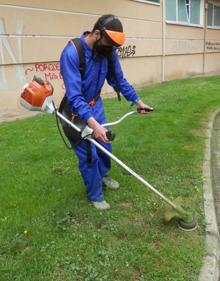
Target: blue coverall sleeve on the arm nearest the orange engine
x=69, y=68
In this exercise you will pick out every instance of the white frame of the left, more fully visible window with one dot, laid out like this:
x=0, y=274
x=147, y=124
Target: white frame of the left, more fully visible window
x=201, y=19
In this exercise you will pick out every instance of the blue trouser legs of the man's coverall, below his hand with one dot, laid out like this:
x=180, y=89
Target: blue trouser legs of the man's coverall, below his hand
x=93, y=172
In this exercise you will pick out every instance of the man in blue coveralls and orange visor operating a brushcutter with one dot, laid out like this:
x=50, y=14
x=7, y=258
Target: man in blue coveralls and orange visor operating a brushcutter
x=83, y=96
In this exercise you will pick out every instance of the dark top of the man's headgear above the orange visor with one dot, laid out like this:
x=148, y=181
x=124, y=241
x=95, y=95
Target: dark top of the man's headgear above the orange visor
x=109, y=22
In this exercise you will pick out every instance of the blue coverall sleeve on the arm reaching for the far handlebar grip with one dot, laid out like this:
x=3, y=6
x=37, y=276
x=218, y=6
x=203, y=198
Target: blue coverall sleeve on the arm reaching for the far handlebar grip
x=125, y=88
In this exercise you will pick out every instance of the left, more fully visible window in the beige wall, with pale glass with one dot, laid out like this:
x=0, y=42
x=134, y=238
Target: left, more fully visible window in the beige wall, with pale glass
x=184, y=11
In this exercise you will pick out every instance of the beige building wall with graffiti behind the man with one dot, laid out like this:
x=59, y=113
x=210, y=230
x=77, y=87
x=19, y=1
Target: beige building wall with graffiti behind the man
x=33, y=34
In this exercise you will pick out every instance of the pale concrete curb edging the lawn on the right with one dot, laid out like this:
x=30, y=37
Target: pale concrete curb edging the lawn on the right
x=210, y=269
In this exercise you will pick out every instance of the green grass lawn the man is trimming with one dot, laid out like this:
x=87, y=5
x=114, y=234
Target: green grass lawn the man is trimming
x=49, y=230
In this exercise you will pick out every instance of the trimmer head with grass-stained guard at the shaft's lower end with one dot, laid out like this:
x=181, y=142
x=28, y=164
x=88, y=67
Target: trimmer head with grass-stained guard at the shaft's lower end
x=184, y=219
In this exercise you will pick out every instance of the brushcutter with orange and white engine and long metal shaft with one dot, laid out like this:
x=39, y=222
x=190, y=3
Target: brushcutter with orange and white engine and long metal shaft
x=38, y=96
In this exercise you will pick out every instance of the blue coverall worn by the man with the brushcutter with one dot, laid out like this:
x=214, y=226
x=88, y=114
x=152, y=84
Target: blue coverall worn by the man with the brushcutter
x=80, y=91
